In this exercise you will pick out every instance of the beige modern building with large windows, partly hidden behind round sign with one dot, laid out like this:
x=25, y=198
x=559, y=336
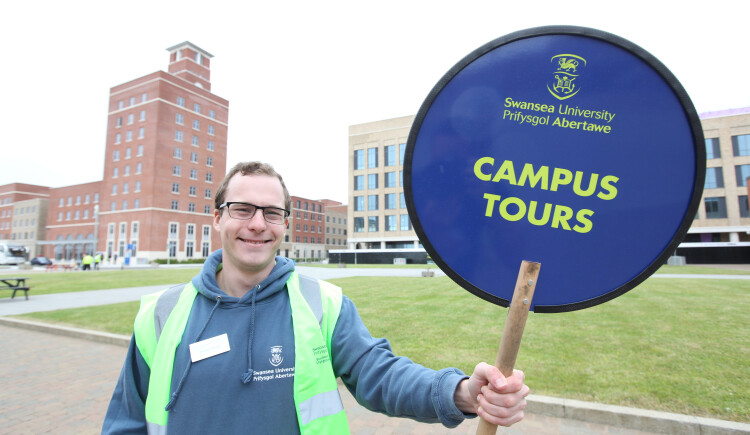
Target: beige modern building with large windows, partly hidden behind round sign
x=380, y=230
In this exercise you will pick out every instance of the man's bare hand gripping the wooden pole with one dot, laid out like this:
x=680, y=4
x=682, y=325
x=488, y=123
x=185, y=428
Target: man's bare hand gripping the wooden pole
x=489, y=394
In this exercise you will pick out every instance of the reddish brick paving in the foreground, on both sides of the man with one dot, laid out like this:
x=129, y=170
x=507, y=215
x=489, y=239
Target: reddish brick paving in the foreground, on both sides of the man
x=62, y=385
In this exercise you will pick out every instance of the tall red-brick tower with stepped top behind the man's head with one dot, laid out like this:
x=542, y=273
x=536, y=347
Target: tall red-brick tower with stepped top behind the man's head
x=165, y=156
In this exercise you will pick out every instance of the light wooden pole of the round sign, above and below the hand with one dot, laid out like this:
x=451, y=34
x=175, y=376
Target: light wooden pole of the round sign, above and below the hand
x=513, y=329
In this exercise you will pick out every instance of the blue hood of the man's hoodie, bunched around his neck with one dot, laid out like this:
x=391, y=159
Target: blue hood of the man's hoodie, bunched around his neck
x=206, y=283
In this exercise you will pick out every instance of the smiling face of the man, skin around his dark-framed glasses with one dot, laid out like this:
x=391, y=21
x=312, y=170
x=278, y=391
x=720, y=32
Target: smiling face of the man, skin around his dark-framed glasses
x=251, y=245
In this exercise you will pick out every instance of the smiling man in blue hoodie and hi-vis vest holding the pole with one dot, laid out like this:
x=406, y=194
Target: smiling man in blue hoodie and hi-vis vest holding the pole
x=251, y=347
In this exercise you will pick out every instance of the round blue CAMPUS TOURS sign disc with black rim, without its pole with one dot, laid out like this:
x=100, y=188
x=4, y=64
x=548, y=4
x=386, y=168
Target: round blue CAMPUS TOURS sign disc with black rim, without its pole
x=566, y=146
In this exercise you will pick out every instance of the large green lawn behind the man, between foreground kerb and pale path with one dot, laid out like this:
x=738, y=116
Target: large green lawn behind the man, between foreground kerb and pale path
x=674, y=345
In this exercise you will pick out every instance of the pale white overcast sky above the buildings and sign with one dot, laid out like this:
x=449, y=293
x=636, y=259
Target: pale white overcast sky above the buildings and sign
x=297, y=74
